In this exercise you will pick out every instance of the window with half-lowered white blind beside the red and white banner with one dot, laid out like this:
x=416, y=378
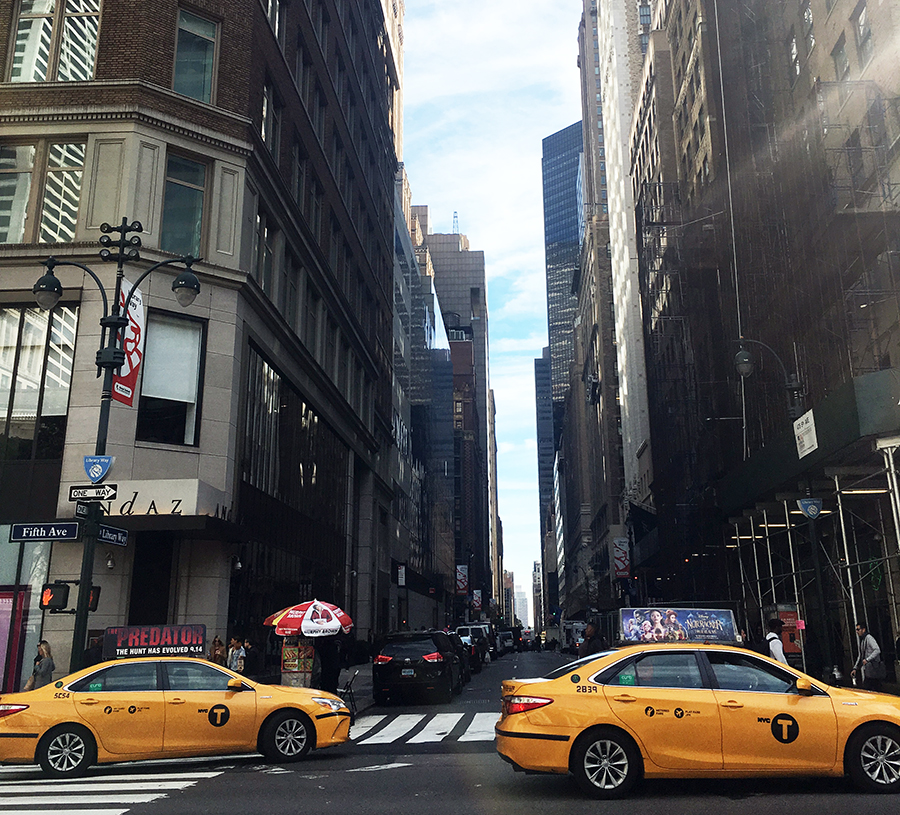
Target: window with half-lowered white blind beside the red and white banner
x=169, y=406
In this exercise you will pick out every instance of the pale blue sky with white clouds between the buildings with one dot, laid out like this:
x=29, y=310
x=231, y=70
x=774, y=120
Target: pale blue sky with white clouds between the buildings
x=484, y=83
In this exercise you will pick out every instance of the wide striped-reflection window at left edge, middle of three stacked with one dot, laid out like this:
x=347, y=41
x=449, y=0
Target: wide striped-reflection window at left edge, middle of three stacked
x=44, y=178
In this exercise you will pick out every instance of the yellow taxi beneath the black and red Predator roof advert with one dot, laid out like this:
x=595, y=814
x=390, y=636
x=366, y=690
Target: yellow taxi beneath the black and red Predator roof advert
x=144, y=708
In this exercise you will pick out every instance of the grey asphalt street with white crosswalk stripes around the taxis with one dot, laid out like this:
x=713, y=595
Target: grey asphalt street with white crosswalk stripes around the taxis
x=408, y=760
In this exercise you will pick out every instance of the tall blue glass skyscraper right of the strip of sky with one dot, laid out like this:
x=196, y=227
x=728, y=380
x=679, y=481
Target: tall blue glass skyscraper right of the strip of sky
x=561, y=164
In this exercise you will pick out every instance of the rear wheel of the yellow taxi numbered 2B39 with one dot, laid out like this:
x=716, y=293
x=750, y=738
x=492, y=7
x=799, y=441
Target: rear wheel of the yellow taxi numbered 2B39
x=606, y=763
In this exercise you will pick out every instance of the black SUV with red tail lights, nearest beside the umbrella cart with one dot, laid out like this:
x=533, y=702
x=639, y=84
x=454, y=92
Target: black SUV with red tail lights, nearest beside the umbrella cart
x=416, y=661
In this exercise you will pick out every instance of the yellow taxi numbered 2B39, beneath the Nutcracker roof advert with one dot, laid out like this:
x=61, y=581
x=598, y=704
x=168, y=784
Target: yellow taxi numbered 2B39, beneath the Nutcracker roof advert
x=692, y=711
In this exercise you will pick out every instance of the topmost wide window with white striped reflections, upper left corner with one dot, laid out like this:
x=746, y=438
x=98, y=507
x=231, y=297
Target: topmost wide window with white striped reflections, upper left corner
x=56, y=40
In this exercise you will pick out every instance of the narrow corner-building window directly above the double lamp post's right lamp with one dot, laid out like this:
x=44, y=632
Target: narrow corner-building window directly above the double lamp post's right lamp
x=182, y=217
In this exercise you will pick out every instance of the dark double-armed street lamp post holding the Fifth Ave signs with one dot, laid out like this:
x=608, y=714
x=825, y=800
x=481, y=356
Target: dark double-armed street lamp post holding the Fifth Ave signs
x=110, y=358
